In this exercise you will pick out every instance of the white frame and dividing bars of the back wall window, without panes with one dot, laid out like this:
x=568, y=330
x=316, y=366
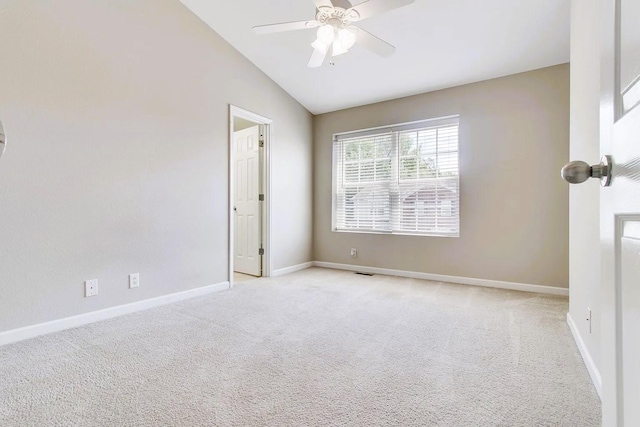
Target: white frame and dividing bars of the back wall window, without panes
x=394, y=193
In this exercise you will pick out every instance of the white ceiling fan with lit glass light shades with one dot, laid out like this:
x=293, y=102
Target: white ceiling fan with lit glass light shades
x=336, y=34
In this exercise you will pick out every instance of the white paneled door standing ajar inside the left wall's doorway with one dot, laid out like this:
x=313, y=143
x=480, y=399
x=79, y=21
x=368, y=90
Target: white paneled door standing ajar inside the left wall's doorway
x=246, y=204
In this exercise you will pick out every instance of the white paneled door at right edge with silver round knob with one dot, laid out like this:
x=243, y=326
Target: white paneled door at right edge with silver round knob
x=620, y=213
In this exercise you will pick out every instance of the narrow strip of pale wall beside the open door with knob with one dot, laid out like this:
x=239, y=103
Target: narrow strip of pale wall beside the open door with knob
x=584, y=214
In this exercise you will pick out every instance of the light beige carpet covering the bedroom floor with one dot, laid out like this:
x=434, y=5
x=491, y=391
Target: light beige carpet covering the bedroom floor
x=314, y=348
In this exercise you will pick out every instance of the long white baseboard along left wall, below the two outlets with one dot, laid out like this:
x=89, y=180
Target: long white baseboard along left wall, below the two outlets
x=27, y=332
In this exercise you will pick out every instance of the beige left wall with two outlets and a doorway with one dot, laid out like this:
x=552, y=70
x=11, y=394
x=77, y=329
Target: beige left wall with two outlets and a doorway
x=117, y=117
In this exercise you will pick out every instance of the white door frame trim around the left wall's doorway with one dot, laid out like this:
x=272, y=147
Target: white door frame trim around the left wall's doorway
x=265, y=167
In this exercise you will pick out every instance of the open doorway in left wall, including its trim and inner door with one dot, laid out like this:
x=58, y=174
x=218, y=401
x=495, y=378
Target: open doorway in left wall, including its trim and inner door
x=249, y=184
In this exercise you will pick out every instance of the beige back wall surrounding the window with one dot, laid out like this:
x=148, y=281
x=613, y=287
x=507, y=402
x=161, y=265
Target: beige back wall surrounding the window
x=514, y=138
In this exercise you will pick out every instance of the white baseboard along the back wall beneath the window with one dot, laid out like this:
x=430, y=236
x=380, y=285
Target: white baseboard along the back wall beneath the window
x=450, y=279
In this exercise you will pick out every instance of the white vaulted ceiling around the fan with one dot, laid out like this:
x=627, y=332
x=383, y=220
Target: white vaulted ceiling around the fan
x=440, y=44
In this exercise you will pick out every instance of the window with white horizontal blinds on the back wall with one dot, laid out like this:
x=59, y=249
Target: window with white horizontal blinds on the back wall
x=401, y=179
